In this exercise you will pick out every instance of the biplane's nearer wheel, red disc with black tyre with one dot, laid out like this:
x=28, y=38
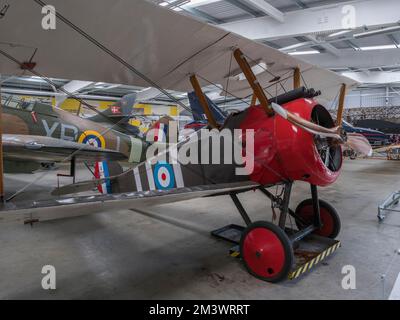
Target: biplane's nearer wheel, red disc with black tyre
x=266, y=251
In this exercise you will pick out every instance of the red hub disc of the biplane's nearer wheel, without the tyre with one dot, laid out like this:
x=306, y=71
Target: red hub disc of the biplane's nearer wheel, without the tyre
x=263, y=252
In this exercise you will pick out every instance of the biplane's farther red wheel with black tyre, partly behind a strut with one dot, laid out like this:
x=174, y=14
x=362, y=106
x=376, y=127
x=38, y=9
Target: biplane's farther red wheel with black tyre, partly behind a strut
x=329, y=218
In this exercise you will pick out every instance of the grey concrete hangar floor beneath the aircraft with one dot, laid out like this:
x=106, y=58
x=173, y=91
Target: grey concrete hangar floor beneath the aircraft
x=167, y=252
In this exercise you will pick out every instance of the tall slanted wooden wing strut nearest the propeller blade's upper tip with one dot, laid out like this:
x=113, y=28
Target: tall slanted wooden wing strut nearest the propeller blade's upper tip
x=254, y=84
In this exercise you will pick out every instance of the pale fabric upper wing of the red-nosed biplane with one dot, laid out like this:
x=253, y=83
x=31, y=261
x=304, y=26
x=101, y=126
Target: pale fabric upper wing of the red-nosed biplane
x=163, y=45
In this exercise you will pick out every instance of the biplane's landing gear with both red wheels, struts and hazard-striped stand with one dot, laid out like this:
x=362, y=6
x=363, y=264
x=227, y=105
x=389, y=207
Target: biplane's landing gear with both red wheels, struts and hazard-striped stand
x=273, y=252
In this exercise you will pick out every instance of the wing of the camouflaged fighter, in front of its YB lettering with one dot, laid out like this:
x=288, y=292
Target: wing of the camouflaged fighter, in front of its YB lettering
x=47, y=149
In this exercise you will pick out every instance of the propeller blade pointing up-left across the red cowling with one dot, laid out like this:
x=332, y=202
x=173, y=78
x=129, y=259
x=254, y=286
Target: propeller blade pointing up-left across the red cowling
x=305, y=124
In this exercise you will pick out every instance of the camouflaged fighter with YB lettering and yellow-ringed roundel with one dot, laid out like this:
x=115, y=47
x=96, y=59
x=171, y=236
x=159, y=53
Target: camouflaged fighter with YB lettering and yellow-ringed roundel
x=36, y=134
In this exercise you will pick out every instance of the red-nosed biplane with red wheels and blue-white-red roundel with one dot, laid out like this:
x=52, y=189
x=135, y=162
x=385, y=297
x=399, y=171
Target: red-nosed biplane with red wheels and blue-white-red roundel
x=294, y=137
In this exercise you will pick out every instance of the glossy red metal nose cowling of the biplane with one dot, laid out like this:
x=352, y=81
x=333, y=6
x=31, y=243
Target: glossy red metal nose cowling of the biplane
x=283, y=151
